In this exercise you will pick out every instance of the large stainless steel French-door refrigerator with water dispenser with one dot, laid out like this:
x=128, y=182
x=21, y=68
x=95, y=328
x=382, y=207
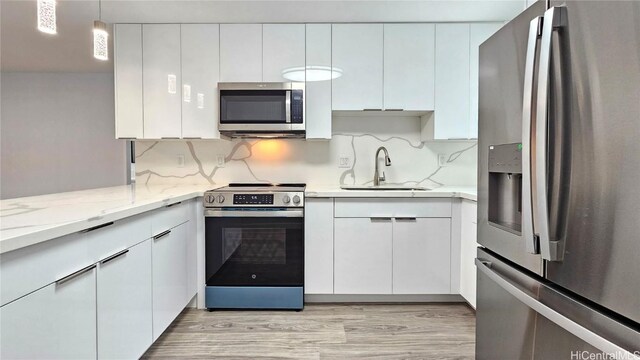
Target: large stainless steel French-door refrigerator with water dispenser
x=559, y=184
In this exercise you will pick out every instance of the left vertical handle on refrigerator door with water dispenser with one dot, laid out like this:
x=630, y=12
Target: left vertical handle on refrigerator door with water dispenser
x=528, y=112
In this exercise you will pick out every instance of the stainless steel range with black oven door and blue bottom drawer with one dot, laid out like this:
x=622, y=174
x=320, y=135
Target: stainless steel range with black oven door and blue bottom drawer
x=255, y=246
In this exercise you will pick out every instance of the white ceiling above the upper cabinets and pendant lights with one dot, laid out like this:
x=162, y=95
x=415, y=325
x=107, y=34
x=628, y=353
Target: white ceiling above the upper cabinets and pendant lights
x=23, y=48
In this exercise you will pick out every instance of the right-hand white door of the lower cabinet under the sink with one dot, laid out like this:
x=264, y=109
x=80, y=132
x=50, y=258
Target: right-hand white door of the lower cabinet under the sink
x=421, y=256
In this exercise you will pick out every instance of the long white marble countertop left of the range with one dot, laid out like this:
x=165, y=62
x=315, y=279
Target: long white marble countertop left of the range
x=31, y=220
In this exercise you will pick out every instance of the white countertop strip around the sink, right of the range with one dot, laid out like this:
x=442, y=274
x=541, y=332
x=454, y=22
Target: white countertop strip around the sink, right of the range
x=468, y=192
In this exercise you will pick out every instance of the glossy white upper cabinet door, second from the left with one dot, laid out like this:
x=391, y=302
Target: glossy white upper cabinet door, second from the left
x=161, y=80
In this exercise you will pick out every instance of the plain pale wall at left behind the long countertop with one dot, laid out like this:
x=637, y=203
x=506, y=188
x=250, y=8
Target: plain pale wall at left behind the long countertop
x=57, y=134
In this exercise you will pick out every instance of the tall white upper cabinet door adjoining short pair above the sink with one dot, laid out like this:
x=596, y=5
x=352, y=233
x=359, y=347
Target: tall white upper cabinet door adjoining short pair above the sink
x=452, y=82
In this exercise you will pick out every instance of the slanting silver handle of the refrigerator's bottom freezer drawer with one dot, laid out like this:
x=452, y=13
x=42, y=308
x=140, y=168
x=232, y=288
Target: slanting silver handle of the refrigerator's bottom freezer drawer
x=569, y=325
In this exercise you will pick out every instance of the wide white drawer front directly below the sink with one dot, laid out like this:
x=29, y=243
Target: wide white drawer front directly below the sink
x=392, y=207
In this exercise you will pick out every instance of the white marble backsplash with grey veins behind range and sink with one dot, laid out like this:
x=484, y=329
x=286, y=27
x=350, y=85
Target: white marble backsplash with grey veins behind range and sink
x=313, y=162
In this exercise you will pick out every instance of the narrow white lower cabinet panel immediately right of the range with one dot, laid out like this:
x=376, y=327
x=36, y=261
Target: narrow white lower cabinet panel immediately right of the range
x=318, y=245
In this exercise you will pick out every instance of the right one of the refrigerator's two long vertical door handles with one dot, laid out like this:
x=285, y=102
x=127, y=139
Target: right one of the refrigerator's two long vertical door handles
x=549, y=248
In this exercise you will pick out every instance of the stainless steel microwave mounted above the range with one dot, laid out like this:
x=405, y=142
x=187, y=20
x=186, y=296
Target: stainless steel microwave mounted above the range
x=264, y=109
